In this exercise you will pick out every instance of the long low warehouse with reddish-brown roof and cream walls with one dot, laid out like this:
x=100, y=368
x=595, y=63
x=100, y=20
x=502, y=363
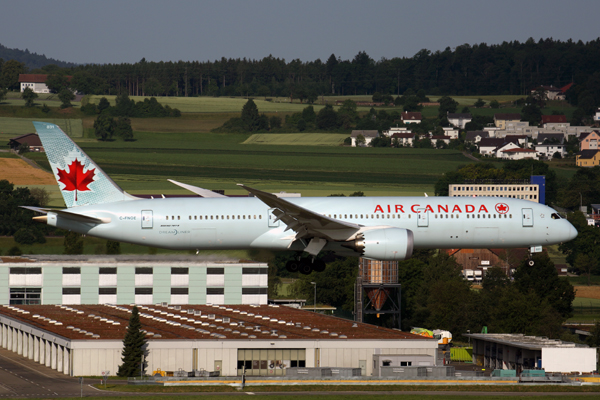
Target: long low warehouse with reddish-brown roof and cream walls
x=264, y=340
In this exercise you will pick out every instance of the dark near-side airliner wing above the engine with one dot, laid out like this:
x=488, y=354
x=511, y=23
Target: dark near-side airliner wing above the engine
x=306, y=223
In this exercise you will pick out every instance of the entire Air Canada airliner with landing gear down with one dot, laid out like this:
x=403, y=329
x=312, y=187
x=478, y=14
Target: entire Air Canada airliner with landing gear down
x=380, y=228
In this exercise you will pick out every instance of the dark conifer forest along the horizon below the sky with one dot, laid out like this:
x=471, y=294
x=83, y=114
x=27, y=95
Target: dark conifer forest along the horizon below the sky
x=507, y=68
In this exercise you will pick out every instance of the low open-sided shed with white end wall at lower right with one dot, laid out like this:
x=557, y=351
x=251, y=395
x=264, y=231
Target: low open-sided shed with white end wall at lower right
x=519, y=352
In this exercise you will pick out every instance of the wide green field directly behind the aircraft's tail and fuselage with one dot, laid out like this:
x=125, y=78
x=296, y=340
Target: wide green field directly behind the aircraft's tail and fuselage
x=220, y=161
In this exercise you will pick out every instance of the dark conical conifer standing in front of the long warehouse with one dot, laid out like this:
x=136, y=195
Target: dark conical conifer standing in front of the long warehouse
x=134, y=347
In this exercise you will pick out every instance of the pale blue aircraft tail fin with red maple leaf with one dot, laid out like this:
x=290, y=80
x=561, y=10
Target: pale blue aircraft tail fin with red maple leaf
x=80, y=180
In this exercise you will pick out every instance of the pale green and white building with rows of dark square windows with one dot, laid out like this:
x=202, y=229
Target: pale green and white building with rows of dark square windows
x=130, y=279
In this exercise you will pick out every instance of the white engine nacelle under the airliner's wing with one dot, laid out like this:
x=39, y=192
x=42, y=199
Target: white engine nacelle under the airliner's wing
x=385, y=244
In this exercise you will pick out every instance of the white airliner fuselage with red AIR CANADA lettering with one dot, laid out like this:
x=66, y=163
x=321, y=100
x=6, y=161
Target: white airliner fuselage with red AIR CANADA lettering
x=246, y=222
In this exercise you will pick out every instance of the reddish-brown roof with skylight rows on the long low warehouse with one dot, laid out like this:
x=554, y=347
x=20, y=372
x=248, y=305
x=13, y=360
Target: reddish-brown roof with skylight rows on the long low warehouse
x=85, y=322
